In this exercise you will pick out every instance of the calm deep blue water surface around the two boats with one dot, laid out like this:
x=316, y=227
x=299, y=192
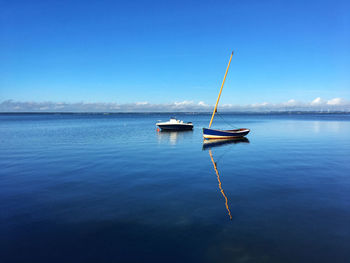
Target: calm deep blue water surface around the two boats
x=110, y=188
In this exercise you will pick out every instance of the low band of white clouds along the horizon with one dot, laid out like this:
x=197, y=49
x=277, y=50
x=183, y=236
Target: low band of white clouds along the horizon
x=335, y=105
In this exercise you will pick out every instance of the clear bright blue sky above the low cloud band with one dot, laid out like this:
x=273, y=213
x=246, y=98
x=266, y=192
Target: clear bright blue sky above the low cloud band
x=167, y=51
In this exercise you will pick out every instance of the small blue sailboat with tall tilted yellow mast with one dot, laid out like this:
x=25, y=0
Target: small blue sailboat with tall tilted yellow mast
x=223, y=134
